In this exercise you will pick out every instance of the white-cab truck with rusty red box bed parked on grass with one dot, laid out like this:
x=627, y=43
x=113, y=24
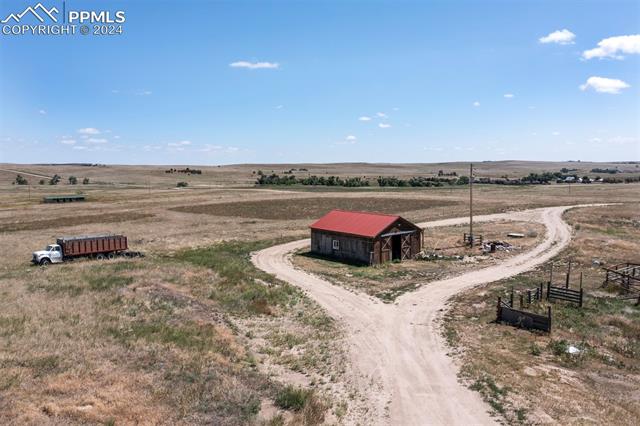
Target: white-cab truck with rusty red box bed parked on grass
x=91, y=246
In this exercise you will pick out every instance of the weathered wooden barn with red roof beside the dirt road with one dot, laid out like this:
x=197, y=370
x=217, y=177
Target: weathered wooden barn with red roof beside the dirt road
x=362, y=237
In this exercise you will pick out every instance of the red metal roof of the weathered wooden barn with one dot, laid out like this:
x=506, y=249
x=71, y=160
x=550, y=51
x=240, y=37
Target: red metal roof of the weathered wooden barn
x=361, y=224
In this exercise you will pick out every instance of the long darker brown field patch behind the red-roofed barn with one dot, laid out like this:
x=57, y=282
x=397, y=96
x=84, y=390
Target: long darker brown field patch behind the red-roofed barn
x=309, y=208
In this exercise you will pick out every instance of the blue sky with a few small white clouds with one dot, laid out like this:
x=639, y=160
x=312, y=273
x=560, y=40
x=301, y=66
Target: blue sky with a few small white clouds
x=213, y=82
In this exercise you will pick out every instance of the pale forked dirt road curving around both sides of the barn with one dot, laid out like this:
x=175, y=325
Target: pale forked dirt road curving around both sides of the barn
x=397, y=352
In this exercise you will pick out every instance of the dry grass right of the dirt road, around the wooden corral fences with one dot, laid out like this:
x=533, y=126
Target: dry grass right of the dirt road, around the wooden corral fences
x=529, y=377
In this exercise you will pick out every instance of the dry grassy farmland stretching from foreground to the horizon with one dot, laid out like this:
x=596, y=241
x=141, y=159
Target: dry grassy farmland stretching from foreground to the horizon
x=194, y=332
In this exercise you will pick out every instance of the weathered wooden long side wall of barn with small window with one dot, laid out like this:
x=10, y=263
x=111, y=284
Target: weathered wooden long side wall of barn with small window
x=352, y=249
